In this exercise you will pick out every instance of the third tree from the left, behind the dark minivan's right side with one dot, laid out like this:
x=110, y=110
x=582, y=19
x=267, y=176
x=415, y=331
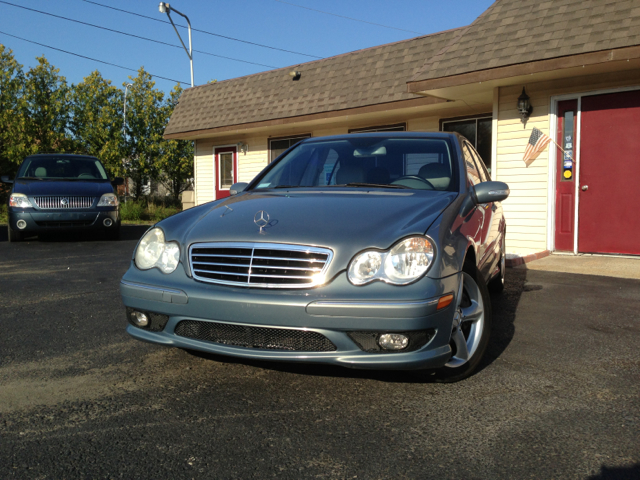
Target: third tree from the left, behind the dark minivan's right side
x=96, y=121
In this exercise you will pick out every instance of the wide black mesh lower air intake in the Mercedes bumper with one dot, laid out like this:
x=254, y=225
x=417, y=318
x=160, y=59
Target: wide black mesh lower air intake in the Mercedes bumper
x=255, y=337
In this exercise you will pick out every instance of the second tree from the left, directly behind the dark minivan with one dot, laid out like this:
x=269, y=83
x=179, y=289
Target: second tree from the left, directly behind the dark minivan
x=47, y=98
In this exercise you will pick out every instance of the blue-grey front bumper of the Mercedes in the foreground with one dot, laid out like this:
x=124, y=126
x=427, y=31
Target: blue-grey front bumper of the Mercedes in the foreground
x=333, y=310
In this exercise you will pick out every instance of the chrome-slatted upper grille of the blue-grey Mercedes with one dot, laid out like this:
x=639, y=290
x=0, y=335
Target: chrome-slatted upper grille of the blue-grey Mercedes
x=263, y=265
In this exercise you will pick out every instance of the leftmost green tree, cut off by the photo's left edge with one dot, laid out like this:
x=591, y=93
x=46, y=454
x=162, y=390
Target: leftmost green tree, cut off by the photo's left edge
x=13, y=141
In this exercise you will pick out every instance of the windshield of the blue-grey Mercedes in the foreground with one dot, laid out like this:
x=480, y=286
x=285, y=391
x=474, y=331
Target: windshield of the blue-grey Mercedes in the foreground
x=416, y=163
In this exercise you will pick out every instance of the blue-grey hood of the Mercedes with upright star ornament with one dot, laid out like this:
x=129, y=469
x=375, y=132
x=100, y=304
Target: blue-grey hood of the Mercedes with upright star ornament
x=346, y=221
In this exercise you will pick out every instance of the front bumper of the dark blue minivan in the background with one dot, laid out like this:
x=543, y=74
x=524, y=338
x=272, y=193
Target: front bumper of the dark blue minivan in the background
x=38, y=221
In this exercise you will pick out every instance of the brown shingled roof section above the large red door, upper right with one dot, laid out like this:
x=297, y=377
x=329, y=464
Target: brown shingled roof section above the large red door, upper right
x=518, y=31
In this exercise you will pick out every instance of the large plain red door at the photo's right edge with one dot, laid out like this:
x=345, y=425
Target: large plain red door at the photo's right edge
x=609, y=213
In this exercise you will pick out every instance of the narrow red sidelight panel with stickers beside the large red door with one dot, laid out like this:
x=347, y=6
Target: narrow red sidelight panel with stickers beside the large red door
x=565, y=175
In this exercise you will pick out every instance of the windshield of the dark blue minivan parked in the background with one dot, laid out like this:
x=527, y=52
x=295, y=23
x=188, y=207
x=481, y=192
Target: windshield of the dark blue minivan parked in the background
x=62, y=168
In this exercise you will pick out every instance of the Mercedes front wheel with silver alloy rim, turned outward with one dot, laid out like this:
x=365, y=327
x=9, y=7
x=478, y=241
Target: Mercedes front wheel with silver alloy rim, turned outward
x=471, y=327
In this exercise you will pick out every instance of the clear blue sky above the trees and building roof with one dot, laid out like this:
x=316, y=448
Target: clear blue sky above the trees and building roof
x=305, y=29
